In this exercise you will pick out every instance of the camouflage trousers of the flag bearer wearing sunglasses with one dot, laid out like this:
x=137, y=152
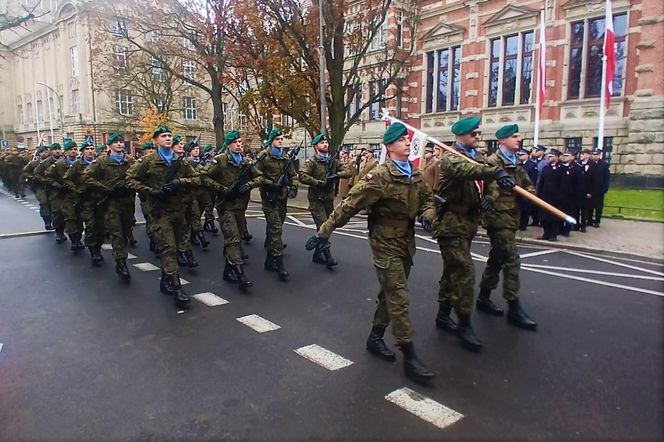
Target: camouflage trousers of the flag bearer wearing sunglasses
x=456, y=286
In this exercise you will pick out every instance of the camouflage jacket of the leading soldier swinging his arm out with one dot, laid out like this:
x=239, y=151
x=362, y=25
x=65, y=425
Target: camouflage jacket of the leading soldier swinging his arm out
x=394, y=201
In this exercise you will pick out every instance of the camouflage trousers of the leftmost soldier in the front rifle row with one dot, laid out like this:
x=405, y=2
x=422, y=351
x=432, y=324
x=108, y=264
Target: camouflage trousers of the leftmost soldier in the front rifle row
x=168, y=229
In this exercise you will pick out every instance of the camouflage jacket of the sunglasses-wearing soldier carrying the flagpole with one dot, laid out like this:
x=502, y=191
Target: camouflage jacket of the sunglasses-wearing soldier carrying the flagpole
x=460, y=184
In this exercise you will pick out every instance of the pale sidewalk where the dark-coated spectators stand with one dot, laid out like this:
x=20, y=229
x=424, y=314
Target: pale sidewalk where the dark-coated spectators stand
x=638, y=238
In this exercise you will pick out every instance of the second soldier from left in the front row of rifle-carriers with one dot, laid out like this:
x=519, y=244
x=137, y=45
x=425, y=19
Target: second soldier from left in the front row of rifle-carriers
x=226, y=170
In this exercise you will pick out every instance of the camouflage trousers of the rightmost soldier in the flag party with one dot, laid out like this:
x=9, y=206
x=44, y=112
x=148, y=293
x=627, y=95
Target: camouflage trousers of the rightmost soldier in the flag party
x=503, y=256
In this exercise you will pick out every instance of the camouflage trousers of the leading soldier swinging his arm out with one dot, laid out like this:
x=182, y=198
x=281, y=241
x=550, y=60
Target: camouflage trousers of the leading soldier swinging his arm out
x=393, y=299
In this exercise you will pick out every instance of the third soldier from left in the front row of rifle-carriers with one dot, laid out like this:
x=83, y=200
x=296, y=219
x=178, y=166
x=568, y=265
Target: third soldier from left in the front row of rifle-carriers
x=274, y=198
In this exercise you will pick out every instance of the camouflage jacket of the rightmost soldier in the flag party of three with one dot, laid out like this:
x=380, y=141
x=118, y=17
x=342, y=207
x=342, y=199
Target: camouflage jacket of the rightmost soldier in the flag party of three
x=506, y=212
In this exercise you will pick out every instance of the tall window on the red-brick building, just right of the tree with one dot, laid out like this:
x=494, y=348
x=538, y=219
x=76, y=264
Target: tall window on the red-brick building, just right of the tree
x=447, y=87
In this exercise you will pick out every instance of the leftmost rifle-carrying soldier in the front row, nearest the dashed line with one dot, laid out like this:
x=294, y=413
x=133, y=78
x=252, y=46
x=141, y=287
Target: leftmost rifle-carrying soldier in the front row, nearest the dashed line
x=164, y=204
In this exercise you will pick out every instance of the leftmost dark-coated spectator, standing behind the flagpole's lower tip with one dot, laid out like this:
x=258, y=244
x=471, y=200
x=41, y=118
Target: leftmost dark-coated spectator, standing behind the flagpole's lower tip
x=548, y=189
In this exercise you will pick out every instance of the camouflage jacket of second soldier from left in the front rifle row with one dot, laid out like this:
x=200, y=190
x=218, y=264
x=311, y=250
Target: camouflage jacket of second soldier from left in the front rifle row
x=224, y=171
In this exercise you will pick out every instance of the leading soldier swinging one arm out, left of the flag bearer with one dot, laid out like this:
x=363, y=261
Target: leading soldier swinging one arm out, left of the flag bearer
x=396, y=194
